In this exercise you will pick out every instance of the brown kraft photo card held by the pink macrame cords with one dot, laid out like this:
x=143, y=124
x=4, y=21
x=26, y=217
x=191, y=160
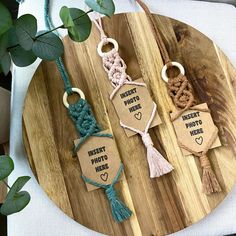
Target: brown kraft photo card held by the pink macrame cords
x=134, y=107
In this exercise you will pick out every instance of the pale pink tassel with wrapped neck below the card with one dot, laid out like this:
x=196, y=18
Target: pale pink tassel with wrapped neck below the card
x=158, y=165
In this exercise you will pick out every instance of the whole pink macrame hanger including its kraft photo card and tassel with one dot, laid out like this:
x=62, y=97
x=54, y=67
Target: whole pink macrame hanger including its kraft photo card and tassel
x=115, y=67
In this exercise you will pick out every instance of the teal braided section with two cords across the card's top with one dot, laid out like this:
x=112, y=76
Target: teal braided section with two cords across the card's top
x=85, y=122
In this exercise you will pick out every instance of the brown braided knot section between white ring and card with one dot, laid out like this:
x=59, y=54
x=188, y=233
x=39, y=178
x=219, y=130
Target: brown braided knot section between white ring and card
x=181, y=91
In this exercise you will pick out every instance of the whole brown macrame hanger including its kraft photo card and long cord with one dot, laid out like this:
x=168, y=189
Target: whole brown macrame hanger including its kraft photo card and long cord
x=181, y=92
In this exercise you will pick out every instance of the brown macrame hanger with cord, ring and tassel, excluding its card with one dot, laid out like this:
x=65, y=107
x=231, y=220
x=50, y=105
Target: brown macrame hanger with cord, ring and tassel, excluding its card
x=181, y=92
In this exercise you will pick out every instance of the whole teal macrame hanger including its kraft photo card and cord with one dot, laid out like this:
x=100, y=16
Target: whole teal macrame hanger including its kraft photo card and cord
x=88, y=129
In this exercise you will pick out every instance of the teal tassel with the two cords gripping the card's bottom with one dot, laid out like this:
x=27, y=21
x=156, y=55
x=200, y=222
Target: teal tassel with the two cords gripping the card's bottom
x=120, y=211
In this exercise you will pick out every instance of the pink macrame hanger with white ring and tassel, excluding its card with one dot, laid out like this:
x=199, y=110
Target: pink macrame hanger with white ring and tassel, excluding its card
x=115, y=67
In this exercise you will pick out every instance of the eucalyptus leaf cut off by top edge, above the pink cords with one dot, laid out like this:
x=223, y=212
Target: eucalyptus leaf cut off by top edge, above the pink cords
x=106, y=7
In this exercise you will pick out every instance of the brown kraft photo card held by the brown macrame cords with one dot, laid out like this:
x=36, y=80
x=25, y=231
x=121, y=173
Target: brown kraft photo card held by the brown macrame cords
x=194, y=129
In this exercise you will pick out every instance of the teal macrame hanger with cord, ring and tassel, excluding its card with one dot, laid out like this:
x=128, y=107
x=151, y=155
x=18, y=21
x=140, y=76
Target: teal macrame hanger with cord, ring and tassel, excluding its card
x=86, y=125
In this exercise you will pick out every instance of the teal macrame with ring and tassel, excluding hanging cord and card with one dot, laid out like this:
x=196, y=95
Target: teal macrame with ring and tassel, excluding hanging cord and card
x=87, y=126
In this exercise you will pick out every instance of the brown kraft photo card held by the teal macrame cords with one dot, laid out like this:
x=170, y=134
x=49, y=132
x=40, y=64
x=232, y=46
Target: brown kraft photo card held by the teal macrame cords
x=99, y=159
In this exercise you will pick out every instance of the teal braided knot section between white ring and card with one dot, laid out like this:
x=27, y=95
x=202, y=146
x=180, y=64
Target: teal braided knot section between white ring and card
x=83, y=118
